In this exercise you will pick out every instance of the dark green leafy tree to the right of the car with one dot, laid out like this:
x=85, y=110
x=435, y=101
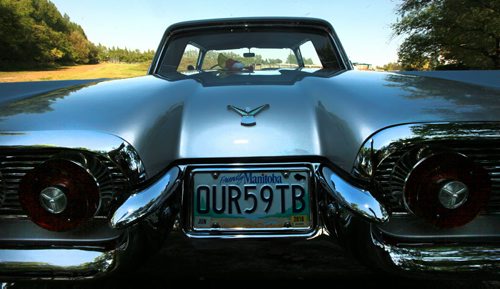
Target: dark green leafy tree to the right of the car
x=453, y=33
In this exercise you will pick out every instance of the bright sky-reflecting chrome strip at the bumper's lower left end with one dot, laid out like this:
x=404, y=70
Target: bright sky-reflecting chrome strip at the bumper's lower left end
x=55, y=263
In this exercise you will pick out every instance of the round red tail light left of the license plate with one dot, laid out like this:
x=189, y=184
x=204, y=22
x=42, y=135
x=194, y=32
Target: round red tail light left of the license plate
x=59, y=195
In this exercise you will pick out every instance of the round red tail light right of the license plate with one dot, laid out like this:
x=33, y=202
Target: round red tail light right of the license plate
x=447, y=189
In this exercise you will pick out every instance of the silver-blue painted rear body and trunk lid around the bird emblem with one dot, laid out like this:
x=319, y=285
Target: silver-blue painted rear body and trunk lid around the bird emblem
x=173, y=120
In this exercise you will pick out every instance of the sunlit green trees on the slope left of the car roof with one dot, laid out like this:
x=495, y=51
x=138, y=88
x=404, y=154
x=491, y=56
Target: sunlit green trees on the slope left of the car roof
x=33, y=33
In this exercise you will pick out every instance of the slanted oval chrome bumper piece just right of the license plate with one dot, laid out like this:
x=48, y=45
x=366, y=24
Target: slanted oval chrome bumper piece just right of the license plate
x=357, y=200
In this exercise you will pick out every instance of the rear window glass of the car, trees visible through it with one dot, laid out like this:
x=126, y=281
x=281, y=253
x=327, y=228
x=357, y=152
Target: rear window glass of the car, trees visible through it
x=254, y=51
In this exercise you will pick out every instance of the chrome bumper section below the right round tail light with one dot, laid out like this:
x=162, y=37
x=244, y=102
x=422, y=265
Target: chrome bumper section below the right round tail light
x=412, y=246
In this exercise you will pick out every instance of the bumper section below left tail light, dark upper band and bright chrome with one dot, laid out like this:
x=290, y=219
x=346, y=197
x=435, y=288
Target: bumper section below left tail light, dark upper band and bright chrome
x=30, y=252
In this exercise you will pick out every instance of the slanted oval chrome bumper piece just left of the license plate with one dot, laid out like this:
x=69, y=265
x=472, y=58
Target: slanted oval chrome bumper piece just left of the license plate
x=143, y=202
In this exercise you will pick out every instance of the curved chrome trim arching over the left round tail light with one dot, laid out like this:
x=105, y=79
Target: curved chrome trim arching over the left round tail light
x=110, y=146
